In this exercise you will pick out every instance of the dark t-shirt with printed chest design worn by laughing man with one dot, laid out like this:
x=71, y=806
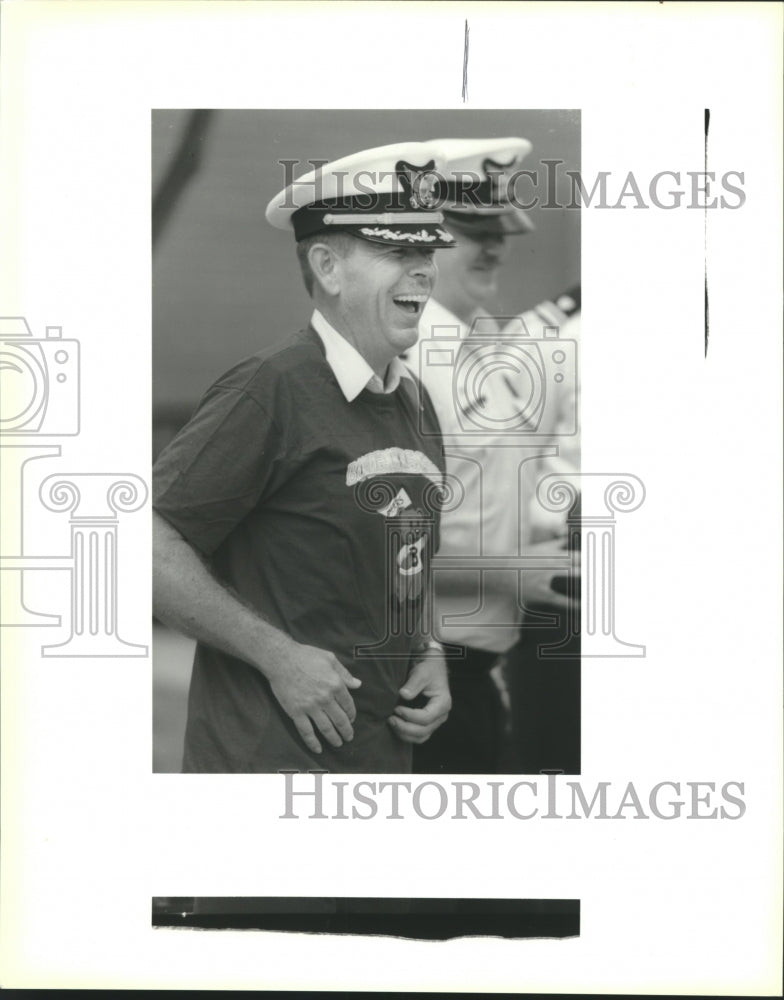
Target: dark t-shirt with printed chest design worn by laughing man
x=322, y=514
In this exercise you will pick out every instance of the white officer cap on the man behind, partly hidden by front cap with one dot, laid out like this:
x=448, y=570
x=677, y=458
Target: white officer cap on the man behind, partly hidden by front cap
x=477, y=194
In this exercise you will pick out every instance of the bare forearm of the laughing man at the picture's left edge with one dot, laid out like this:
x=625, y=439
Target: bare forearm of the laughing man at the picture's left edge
x=188, y=598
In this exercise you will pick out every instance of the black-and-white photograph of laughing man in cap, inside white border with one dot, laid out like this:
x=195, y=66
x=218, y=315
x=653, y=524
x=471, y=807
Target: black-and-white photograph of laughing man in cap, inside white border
x=299, y=507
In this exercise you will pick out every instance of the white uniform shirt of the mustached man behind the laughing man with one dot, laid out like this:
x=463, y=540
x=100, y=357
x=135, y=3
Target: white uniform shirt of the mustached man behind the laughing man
x=492, y=474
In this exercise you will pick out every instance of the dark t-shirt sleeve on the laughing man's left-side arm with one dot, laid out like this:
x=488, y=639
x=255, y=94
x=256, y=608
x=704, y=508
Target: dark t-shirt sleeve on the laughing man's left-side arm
x=218, y=468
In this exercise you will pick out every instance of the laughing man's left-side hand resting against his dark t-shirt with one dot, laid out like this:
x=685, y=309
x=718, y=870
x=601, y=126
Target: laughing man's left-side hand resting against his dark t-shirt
x=312, y=687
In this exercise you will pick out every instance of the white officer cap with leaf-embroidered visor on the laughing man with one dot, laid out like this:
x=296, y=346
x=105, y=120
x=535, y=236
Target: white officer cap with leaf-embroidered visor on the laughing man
x=388, y=194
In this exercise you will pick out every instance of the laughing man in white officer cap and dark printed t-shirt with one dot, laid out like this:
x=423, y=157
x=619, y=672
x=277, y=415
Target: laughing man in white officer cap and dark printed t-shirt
x=297, y=512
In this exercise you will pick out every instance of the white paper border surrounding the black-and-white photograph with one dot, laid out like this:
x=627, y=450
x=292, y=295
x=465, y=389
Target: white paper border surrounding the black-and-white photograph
x=90, y=835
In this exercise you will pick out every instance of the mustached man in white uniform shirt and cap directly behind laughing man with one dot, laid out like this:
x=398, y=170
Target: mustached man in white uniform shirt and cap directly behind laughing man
x=479, y=390
